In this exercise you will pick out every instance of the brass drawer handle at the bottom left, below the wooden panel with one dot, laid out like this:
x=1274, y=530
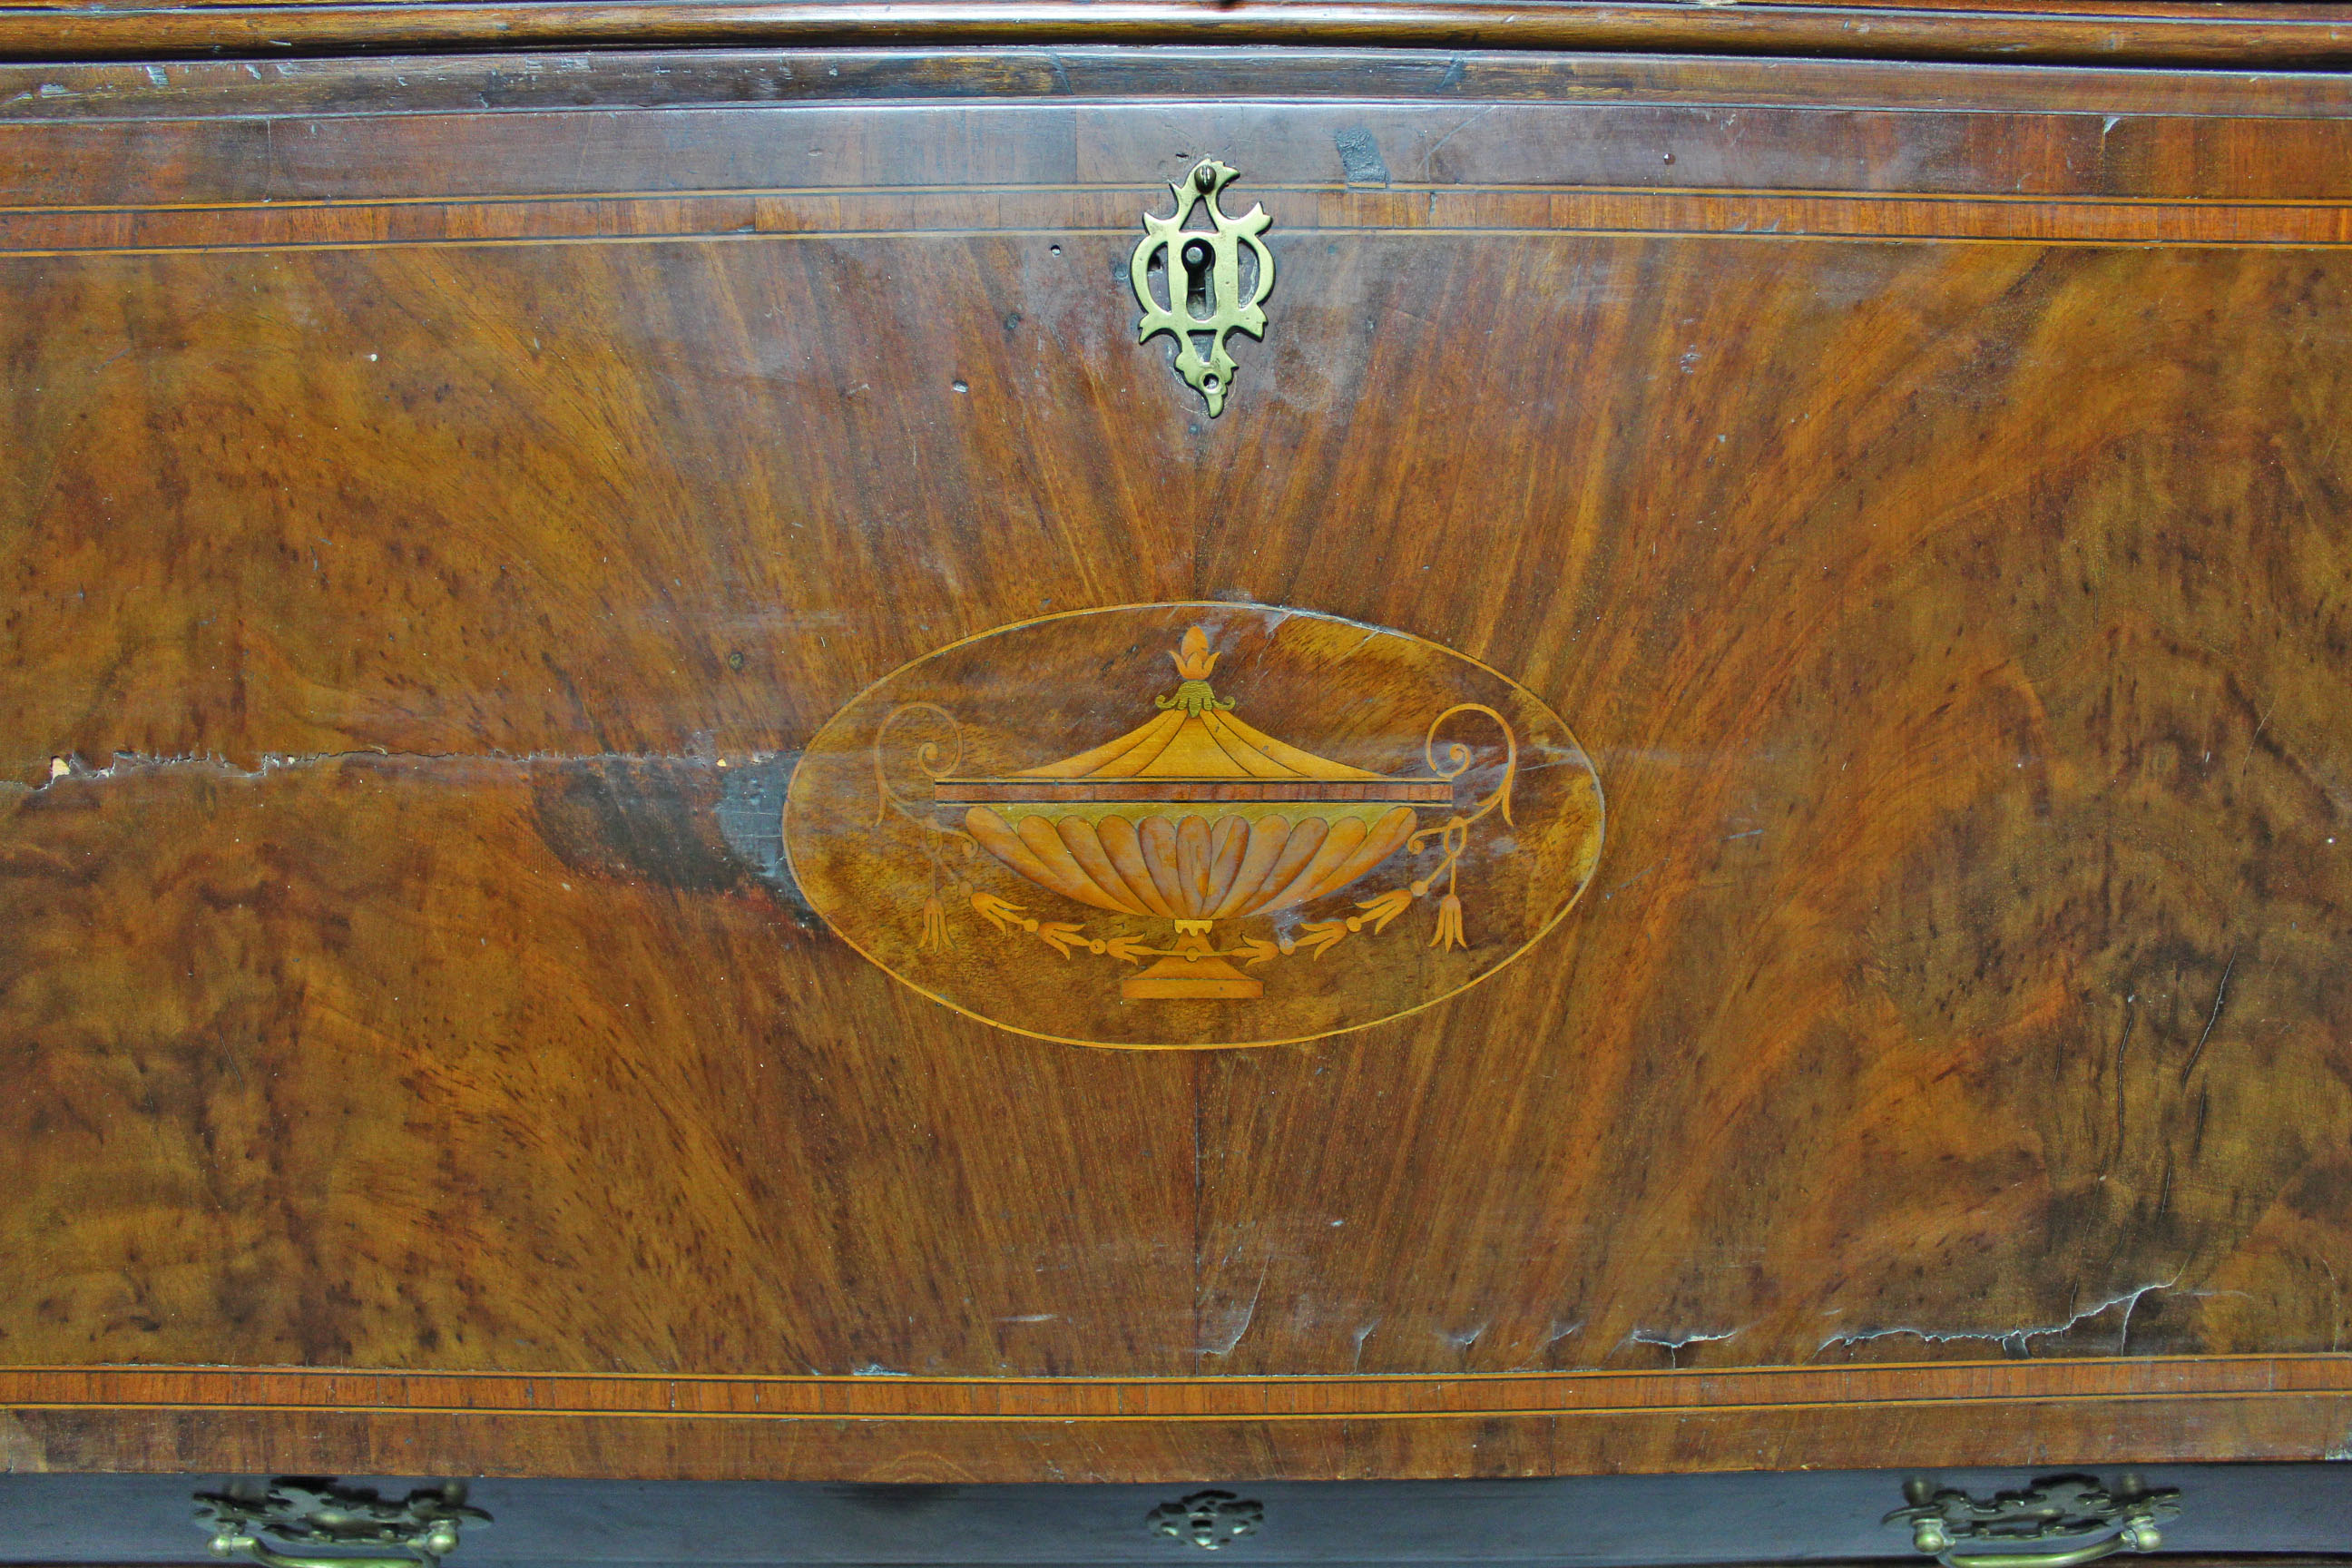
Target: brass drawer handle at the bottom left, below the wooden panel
x=356, y=1527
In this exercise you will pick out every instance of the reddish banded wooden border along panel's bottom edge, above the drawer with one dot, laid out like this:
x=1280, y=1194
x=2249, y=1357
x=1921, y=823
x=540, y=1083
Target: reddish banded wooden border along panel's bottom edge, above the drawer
x=2090, y=1412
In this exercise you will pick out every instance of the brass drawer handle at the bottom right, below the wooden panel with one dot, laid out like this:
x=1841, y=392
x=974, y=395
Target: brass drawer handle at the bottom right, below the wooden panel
x=2076, y=1515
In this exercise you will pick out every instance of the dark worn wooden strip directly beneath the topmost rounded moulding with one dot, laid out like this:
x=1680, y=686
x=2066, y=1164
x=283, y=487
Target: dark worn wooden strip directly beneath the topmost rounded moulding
x=838, y=76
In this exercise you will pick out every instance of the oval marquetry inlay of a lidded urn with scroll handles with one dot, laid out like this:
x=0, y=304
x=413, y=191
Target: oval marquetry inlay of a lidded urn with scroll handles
x=1182, y=826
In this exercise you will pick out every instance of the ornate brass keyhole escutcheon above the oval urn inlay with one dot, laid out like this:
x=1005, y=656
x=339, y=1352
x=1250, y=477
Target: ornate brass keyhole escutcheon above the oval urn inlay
x=1203, y=269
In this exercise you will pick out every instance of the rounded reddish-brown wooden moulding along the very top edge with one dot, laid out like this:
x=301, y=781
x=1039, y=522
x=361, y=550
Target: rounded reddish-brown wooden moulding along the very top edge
x=2160, y=32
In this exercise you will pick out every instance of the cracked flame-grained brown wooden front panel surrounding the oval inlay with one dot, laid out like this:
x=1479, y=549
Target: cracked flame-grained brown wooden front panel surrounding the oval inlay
x=422, y=589
